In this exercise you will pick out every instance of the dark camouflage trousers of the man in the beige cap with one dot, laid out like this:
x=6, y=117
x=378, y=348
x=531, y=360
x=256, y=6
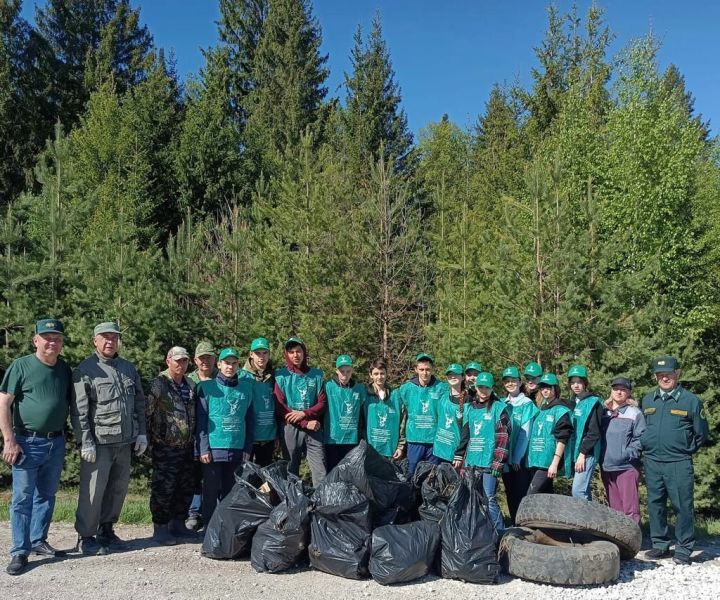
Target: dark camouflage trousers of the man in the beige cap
x=172, y=484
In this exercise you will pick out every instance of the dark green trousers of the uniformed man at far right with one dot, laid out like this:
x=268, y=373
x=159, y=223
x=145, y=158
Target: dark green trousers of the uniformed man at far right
x=673, y=480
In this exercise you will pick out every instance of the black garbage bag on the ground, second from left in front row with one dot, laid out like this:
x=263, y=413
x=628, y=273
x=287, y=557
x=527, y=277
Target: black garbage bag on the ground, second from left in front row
x=281, y=542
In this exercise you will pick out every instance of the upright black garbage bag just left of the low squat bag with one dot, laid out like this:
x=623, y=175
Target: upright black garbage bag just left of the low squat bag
x=340, y=530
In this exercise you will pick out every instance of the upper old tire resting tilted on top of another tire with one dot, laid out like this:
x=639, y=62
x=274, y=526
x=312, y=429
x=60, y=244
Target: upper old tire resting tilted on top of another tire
x=551, y=511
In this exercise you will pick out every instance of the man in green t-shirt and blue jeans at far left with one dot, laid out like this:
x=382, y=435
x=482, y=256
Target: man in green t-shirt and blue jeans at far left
x=34, y=398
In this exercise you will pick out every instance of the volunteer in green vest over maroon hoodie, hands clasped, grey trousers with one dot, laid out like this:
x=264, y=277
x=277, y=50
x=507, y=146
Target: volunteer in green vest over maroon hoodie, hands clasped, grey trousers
x=300, y=401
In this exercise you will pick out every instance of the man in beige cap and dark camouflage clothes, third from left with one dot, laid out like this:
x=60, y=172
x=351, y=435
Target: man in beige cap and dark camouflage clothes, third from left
x=171, y=428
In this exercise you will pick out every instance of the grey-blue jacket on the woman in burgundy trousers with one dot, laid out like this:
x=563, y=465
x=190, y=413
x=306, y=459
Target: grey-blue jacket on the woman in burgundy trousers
x=621, y=438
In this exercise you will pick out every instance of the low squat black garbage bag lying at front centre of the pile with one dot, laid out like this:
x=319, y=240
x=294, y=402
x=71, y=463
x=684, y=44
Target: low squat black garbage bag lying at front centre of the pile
x=403, y=552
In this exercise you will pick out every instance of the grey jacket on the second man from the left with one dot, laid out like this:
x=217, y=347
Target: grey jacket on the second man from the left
x=109, y=404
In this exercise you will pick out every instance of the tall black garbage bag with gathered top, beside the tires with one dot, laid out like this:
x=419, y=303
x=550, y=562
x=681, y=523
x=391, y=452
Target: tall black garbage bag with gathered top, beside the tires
x=469, y=540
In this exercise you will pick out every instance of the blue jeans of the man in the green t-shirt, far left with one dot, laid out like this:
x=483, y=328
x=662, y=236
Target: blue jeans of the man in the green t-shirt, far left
x=35, y=482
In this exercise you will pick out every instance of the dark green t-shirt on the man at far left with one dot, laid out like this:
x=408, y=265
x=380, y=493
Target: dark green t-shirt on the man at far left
x=42, y=393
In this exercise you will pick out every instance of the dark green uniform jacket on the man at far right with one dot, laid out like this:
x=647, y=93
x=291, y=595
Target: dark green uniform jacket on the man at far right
x=675, y=428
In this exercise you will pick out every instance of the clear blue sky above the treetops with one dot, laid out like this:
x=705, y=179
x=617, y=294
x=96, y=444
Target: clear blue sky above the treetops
x=448, y=54
